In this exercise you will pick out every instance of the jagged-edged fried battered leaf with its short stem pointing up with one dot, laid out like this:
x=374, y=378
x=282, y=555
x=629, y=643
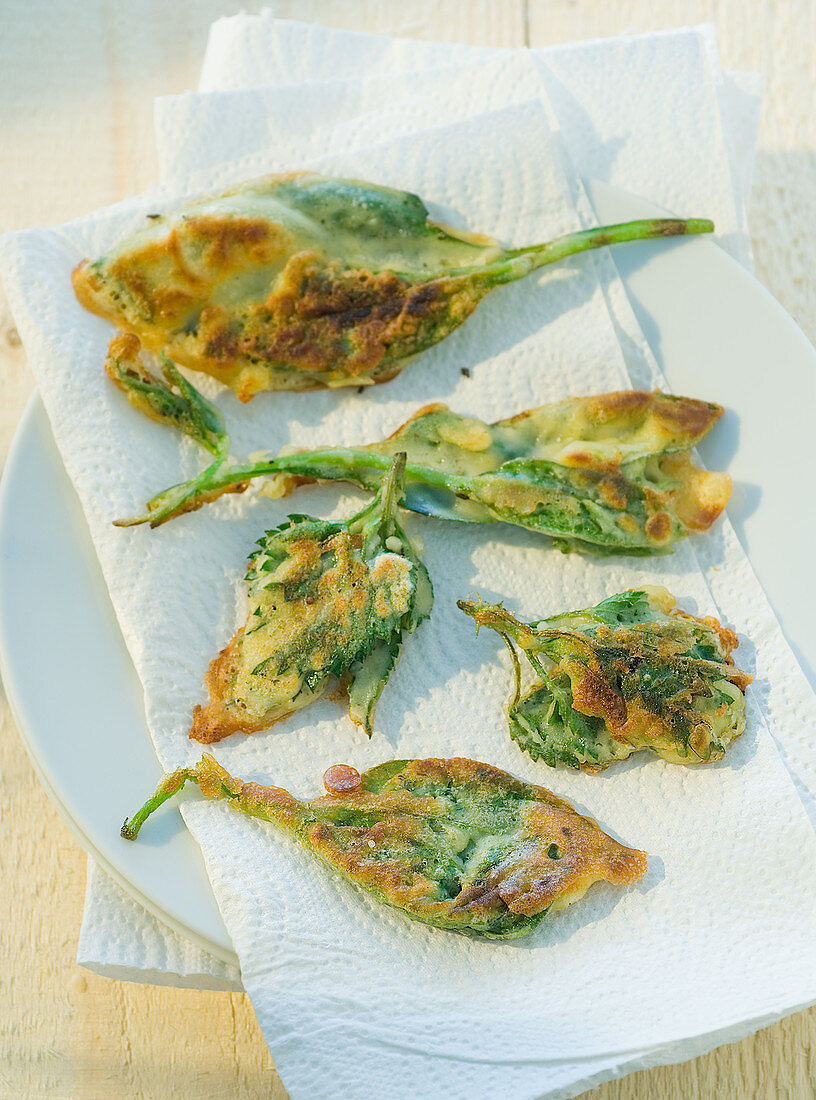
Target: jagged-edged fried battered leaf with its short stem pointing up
x=327, y=601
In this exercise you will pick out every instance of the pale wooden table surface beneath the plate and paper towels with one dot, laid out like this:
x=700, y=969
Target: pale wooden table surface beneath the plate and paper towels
x=78, y=81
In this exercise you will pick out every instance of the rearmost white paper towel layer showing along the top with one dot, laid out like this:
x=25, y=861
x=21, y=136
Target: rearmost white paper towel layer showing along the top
x=643, y=113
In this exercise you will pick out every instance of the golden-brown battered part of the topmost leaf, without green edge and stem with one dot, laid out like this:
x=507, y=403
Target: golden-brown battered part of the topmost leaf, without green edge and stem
x=263, y=307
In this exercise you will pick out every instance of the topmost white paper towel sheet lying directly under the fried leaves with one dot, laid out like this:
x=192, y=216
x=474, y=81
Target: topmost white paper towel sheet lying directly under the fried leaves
x=326, y=967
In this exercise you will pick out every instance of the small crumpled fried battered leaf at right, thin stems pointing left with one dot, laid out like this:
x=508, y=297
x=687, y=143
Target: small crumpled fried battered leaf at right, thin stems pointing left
x=634, y=673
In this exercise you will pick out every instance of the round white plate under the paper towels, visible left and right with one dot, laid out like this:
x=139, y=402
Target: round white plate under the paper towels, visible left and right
x=718, y=335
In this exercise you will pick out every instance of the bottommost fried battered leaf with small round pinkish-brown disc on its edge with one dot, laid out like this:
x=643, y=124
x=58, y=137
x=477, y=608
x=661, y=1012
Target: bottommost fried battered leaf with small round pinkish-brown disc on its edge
x=455, y=843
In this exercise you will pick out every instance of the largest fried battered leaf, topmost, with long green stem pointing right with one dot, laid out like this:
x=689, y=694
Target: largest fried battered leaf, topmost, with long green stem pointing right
x=299, y=282
